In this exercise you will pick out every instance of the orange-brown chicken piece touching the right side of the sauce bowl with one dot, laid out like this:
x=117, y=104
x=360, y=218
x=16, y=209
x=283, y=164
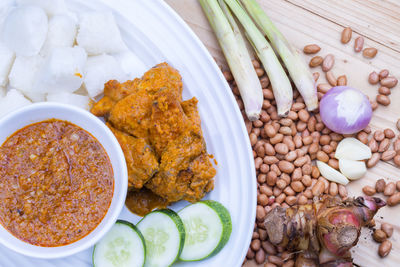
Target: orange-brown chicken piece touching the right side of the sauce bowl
x=140, y=158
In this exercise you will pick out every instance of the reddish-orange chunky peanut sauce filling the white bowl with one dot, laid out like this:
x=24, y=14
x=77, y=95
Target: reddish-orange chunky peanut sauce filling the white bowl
x=57, y=183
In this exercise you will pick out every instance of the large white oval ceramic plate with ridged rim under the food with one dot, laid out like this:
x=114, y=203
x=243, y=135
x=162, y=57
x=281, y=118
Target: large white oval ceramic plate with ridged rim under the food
x=155, y=33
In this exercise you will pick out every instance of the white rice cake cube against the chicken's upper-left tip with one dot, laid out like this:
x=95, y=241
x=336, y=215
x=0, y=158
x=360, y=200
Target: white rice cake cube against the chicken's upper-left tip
x=98, y=71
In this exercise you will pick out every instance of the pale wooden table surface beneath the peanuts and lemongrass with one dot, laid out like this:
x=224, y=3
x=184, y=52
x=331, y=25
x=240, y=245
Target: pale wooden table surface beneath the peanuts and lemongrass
x=321, y=22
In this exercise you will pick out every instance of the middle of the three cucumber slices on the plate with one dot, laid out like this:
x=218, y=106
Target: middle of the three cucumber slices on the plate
x=164, y=235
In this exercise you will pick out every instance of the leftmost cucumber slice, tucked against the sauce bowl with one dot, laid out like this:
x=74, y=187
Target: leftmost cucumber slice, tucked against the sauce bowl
x=122, y=246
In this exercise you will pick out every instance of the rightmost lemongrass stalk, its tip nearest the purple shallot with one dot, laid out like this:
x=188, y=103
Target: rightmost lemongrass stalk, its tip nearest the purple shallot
x=298, y=69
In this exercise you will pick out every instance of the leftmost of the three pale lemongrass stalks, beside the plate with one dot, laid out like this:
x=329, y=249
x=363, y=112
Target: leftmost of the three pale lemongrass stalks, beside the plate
x=234, y=48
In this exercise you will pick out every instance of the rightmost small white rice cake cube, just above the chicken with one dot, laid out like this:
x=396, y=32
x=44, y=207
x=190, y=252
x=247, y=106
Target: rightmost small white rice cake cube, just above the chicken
x=132, y=66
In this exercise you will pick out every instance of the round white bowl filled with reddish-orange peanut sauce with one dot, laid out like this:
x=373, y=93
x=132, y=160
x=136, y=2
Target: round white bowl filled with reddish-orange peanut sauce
x=63, y=180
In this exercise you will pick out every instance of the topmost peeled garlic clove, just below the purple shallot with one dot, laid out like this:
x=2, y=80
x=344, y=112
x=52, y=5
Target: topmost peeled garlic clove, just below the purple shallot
x=351, y=148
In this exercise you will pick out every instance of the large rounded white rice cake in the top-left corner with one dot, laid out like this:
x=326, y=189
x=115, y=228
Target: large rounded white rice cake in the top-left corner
x=25, y=29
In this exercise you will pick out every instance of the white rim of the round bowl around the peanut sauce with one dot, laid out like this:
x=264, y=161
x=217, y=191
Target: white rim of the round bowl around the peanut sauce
x=108, y=220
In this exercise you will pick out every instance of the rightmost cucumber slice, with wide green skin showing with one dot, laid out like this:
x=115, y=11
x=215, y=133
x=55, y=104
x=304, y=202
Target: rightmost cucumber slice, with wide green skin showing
x=208, y=227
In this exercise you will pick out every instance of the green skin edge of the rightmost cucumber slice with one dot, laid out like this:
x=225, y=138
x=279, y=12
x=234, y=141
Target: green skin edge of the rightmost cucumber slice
x=225, y=218
